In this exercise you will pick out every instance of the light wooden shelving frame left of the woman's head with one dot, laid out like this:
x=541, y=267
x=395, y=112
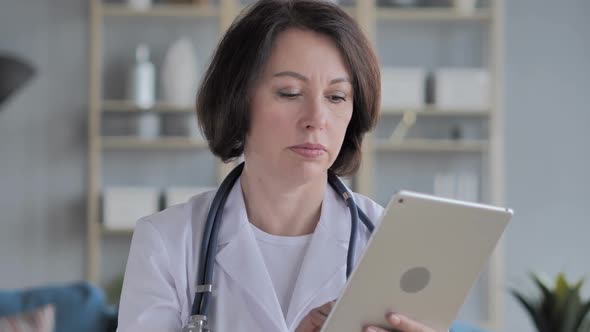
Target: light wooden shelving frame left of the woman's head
x=99, y=107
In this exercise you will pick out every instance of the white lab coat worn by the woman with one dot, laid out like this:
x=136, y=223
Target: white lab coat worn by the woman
x=161, y=272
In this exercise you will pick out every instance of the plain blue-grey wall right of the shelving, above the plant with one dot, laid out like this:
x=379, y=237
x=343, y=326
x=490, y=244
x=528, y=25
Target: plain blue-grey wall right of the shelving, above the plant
x=547, y=137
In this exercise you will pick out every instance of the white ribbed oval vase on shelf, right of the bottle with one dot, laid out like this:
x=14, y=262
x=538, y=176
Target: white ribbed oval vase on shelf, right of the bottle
x=179, y=76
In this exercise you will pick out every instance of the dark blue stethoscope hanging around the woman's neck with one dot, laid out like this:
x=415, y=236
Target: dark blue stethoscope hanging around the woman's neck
x=198, y=319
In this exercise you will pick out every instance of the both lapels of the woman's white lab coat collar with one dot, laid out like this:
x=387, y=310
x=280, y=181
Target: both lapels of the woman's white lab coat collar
x=325, y=258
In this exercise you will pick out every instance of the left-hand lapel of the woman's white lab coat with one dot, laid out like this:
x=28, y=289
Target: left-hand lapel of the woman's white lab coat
x=241, y=259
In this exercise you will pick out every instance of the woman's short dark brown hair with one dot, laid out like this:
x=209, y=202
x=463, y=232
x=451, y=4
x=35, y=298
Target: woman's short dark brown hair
x=223, y=101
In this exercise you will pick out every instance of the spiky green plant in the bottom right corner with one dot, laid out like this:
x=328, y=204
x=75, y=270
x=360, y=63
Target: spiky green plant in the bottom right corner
x=558, y=307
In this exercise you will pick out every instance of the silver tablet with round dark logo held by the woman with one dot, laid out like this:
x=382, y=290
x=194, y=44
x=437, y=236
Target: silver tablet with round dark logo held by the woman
x=422, y=260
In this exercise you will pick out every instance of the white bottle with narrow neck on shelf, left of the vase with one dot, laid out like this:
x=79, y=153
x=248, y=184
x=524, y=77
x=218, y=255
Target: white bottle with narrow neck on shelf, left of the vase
x=142, y=79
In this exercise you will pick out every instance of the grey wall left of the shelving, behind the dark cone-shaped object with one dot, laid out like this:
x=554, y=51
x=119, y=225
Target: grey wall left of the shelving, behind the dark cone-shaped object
x=43, y=144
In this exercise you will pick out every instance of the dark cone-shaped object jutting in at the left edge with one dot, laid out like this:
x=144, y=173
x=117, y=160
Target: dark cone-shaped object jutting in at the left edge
x=14, y=73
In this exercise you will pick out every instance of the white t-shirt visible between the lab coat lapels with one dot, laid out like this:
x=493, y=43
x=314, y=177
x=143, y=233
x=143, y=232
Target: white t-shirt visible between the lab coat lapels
x=283, y=256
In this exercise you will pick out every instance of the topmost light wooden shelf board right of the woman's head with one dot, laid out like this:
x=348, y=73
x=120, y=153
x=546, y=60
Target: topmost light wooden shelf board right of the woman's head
x=431, y=14
